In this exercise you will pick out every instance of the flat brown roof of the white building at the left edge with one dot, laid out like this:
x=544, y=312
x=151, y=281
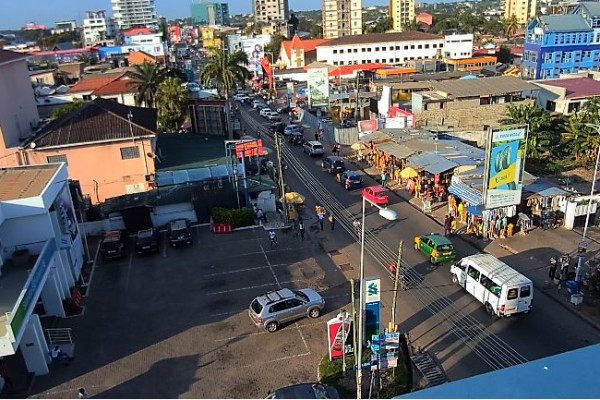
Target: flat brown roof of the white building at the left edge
x=24, y=182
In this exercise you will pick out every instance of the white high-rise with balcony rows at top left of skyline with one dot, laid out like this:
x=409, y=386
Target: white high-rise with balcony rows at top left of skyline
x=135, y=14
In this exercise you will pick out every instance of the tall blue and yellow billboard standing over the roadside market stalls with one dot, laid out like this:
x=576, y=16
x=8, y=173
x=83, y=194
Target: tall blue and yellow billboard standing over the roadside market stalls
x=504, y=166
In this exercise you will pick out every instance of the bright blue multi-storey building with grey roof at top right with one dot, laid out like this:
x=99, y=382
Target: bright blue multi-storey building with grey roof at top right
x=563, y=44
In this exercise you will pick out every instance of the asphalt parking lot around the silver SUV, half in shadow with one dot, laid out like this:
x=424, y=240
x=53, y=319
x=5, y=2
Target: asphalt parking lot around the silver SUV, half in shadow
x=176, y=324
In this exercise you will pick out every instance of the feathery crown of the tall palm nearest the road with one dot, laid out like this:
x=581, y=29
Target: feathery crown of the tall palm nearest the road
x=225, y=70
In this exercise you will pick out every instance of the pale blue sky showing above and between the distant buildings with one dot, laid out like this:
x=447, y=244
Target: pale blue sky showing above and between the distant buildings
x=16, y=13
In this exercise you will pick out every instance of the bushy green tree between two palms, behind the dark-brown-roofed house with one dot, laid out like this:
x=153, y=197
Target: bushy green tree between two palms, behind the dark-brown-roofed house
x=171, y=103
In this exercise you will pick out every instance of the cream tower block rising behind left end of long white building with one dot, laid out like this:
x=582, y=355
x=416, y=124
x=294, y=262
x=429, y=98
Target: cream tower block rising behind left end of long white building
x=341, y=18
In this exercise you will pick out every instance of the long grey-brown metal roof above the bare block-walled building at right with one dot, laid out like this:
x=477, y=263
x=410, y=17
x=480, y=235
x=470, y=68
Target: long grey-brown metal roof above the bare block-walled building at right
x=496, y=85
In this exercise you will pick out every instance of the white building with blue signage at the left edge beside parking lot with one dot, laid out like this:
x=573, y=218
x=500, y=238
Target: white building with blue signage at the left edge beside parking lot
x=41, y=255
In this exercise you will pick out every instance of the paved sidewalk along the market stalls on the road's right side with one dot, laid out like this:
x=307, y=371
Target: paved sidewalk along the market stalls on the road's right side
x=529, y=254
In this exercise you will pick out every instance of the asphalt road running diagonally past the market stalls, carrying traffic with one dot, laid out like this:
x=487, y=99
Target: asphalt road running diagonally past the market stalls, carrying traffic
x=440, y=317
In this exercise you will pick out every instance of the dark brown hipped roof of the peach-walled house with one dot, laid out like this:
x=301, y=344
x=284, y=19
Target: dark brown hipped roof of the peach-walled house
x=98, y=120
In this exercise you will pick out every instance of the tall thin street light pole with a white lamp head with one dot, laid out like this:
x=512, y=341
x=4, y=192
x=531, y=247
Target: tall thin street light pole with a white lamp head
x=390, y=215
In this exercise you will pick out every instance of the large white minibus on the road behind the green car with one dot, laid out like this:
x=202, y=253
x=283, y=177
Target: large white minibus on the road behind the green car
x=502, y=290
